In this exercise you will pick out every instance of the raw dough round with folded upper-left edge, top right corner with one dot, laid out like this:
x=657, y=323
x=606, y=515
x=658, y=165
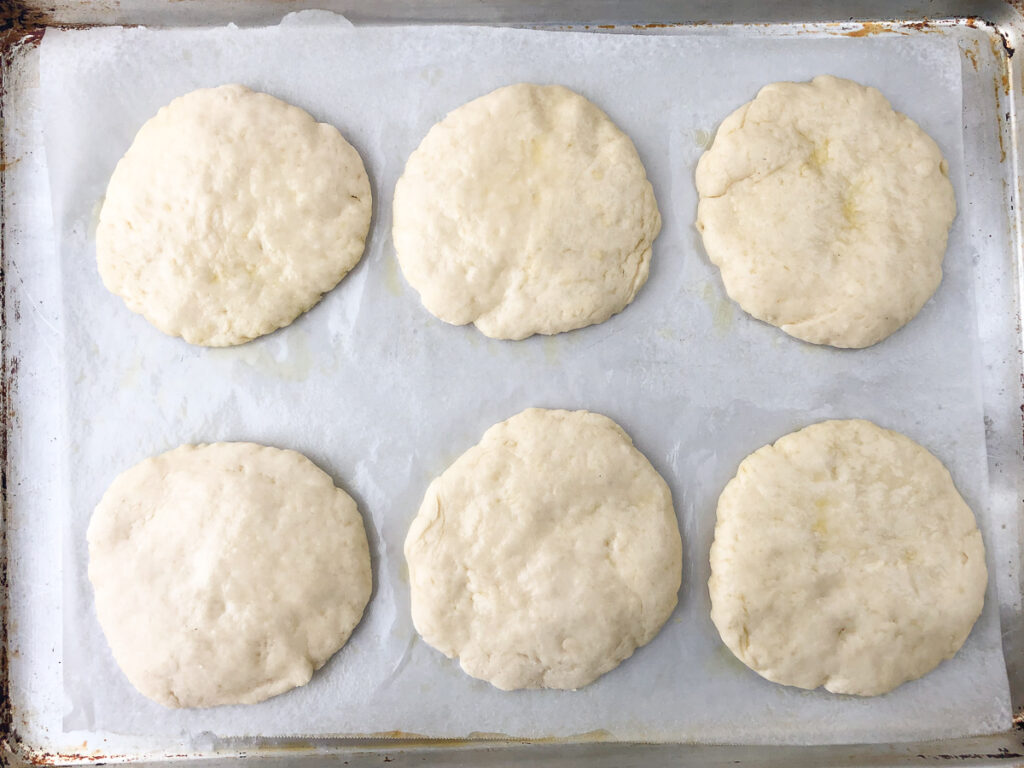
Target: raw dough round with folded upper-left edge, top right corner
x=827, y=211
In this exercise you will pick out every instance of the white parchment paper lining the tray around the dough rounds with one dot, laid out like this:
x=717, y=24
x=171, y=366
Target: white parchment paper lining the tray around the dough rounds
x=385, y=397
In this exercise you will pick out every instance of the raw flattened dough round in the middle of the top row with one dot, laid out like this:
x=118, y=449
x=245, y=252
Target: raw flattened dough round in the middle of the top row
x=526, y=211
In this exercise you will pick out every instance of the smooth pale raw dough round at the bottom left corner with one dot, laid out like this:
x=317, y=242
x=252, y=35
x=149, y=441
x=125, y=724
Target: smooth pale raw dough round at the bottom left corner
x=227, y=574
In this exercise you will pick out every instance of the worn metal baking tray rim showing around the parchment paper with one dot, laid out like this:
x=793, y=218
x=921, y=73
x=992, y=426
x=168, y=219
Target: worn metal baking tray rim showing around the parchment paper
x=31, y=698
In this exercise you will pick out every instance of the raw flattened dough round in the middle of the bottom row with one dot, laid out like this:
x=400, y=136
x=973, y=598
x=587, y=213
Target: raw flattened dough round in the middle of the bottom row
x=546, y=554
